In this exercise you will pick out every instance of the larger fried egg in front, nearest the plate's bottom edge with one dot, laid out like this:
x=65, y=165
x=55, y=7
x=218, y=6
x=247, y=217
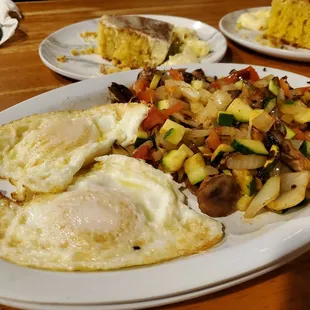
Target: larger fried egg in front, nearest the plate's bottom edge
x=121, y=213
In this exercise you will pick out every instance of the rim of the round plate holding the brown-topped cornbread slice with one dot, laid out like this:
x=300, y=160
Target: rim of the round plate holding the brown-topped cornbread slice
x=80, y=77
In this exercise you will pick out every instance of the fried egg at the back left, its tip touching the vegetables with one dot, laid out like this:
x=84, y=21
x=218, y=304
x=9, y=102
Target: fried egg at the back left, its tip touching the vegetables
x=42, y=153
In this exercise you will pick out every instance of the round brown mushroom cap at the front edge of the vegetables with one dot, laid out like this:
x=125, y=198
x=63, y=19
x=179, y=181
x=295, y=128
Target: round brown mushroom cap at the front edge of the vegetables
x=217, y=196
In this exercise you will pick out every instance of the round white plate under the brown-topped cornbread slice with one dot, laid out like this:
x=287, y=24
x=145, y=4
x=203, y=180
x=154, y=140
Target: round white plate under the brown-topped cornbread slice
x=88, y=66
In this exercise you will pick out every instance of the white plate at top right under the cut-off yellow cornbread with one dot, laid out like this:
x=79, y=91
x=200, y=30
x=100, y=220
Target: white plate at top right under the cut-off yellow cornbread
x=247, y=38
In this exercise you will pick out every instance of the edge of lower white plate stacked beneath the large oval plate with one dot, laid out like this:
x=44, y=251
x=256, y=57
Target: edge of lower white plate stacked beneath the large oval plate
x=158, y=302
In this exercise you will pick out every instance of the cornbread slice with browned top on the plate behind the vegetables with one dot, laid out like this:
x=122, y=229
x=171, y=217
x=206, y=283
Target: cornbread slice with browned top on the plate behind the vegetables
x=133, y=41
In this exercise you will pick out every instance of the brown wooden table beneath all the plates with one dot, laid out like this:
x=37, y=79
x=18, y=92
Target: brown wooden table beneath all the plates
x=23, y=75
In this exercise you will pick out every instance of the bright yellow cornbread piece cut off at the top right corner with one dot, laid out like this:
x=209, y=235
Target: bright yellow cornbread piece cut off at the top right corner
x=290, y=22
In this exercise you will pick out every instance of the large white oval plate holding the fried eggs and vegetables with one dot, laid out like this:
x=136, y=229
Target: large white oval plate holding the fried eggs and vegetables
x=247, y=247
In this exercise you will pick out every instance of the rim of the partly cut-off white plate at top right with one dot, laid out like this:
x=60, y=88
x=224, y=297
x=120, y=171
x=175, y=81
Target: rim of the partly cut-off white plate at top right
x=267, y=50
